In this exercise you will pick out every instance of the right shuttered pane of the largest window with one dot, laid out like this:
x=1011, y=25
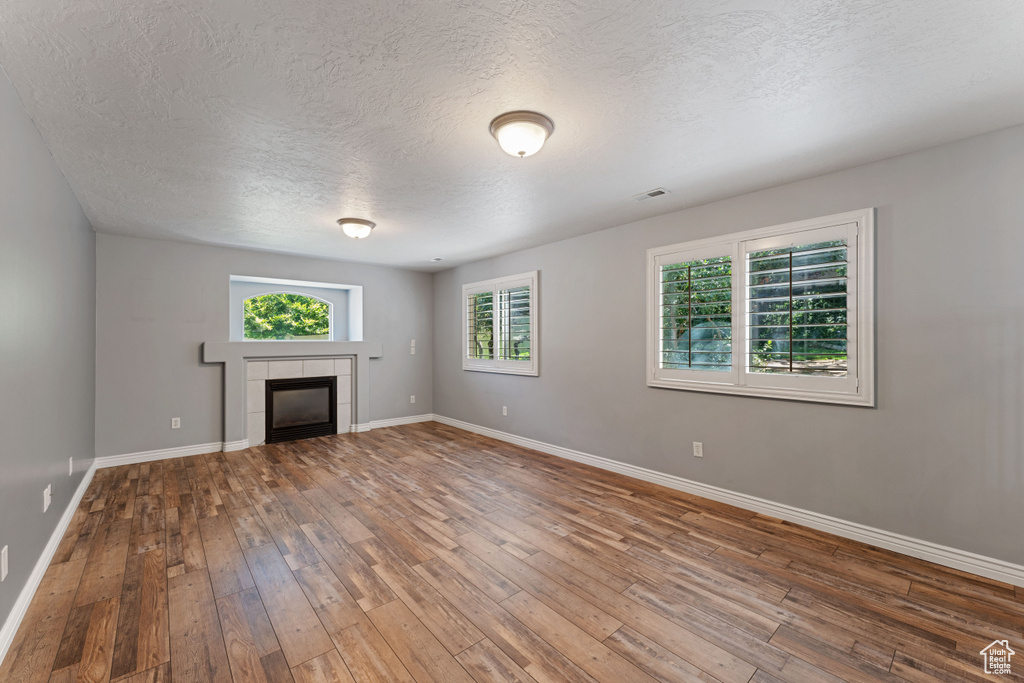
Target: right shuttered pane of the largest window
x=797, y=310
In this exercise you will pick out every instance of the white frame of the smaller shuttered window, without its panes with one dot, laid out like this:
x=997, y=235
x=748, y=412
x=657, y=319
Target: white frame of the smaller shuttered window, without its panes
x=496, y=365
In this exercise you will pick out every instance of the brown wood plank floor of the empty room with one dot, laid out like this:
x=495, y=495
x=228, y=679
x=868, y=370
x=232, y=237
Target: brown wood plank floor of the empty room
x=425, y=553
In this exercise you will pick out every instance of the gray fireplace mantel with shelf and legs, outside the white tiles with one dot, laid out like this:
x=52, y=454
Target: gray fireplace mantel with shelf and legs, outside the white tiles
x=234, y=356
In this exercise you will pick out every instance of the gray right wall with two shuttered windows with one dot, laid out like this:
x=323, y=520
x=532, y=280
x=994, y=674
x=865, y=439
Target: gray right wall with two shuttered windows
x=943, y=456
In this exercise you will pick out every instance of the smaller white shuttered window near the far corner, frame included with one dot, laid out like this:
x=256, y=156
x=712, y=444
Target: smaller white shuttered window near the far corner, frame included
x=500, y=332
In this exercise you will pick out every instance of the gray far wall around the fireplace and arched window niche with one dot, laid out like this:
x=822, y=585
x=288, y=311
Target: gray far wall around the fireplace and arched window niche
x=158, y=302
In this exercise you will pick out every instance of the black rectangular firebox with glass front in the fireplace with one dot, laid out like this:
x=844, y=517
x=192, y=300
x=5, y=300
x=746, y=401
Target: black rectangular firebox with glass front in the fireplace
x=302, y=408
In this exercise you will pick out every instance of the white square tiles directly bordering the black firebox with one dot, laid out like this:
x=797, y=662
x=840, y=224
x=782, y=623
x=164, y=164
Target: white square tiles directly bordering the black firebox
x=259, y=372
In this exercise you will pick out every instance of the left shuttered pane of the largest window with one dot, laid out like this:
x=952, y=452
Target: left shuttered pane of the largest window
x=697, y=316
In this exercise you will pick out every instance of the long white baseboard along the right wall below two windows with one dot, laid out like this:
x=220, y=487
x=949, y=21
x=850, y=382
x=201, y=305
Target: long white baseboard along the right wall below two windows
x=926, y=550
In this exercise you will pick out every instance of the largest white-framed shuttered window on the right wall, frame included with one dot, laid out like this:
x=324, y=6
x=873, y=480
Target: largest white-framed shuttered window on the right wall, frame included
x=784, y=312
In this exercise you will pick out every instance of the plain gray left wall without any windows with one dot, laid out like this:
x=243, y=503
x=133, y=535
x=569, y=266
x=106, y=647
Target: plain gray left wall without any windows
x=48, y=343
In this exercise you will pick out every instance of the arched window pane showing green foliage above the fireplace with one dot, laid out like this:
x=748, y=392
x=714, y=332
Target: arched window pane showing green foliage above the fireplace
x=287, y=317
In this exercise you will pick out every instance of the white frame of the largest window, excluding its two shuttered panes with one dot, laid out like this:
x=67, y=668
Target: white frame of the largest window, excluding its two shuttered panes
x=856, y=390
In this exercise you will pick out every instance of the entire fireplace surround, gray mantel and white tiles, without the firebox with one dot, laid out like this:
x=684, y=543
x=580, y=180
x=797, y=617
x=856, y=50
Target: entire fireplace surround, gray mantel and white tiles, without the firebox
x=249, y=365
